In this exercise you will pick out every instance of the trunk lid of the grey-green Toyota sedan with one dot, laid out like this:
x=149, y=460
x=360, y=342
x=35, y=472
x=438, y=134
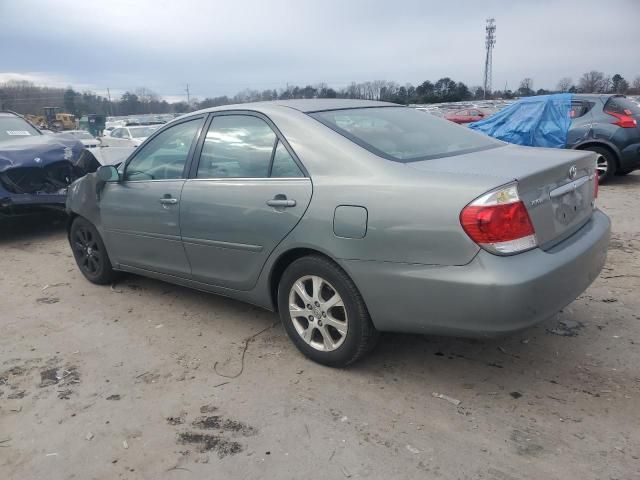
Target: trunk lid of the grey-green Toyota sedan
x=556, y=186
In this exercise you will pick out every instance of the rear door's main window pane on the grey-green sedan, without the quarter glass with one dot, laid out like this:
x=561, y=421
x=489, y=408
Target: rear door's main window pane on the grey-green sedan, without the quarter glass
x=237, y=146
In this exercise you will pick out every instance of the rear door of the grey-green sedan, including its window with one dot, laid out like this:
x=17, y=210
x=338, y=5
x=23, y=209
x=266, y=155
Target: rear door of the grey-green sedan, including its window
x=244, y=195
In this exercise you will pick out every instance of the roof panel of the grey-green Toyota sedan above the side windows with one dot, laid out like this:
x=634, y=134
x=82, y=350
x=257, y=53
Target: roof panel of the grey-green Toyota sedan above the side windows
x=304, y=105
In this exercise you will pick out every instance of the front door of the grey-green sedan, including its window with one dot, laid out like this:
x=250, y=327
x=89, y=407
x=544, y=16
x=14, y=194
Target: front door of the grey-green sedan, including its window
x=140, y=213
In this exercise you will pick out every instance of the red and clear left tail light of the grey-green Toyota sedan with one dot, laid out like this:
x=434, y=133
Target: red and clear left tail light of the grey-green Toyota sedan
x=499, y=222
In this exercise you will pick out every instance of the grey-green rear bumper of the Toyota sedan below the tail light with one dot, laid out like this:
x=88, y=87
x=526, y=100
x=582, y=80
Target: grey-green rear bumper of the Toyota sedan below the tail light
x=491, y=295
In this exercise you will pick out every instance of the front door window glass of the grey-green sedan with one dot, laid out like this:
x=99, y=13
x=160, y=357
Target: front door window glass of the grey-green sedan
x=164, y=157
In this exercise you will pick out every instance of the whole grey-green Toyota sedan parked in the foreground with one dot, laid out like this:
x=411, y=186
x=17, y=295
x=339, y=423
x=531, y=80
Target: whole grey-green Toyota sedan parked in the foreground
x=348, y=218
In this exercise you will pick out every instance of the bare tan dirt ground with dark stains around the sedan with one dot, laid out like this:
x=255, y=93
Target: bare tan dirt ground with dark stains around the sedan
x=146, y=380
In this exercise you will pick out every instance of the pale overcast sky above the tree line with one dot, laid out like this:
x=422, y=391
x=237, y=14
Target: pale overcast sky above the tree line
x=221, y=47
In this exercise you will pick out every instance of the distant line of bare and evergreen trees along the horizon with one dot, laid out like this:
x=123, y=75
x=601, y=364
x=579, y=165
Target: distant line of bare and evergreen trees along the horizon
x=25, y=97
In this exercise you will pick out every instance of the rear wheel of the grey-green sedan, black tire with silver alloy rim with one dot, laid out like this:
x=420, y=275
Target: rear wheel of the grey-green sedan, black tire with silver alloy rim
x=337, y=335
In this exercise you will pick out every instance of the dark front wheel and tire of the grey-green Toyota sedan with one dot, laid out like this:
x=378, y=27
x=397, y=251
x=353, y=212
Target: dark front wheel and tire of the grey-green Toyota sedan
x=90, y=253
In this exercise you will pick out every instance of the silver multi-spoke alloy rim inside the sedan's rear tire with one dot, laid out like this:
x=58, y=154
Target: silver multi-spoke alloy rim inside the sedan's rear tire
x=318, y=313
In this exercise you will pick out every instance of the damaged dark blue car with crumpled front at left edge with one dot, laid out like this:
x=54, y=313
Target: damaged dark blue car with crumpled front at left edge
x=36, y=169
